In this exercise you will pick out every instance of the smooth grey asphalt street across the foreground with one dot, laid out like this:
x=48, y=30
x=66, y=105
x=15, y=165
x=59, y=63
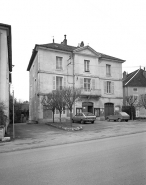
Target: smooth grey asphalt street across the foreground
x=110, y=161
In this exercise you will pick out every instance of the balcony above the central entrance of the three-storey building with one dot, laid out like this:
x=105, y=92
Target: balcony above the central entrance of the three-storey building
x=91, y=92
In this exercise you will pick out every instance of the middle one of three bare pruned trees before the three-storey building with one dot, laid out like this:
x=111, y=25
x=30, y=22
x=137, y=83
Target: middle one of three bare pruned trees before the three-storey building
x=58, y=99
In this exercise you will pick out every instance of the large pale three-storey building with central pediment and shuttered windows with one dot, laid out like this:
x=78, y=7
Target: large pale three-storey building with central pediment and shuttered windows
x=54, y=66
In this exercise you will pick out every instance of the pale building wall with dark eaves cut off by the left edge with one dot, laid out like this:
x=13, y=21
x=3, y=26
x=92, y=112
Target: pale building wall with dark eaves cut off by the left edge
x=5, y=66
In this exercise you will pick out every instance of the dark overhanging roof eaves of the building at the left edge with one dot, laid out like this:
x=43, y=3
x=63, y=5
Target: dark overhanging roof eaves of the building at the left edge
x=9, y=43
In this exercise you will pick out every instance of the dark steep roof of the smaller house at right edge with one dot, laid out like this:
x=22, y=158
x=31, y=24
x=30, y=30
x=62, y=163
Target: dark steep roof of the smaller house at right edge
x=136, y=79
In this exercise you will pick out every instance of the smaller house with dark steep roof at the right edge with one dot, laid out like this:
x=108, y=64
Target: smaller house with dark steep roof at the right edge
x=134, y=84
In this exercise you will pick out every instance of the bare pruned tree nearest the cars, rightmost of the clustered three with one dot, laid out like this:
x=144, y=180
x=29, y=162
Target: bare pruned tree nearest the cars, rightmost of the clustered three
x=70, y=94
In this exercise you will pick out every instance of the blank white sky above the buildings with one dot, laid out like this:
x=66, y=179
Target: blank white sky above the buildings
x=113, y=27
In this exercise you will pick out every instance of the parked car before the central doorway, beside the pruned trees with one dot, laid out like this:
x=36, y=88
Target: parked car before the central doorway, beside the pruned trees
x=83, y=117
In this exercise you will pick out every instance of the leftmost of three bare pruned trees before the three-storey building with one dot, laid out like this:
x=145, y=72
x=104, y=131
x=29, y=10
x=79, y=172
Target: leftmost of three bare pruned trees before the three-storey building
x=49, y=103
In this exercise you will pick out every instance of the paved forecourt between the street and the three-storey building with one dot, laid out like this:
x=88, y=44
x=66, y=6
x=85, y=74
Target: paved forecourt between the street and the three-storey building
x=28, y=136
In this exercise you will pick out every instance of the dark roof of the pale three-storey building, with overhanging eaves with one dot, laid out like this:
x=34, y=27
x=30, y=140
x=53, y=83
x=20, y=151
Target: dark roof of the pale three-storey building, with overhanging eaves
x=67, y=48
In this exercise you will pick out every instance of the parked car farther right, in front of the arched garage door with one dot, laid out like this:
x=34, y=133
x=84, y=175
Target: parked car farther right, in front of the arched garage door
x=120, y=116
